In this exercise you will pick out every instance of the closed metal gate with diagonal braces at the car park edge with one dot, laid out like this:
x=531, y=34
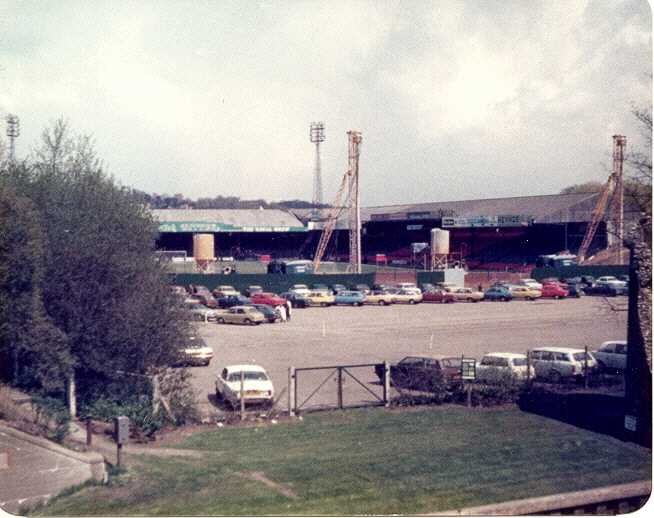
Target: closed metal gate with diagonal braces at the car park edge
x=337, y=386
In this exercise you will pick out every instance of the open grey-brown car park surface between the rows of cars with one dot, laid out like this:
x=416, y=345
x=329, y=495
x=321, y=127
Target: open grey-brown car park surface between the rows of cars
x=343, y=335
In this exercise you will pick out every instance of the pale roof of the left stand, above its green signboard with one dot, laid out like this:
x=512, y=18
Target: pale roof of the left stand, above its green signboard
x=234, y=217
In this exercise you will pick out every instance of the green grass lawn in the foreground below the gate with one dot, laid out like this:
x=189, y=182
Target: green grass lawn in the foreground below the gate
x=370, y=461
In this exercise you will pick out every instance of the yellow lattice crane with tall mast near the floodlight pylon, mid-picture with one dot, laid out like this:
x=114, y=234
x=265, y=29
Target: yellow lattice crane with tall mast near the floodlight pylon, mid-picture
x=350, y=187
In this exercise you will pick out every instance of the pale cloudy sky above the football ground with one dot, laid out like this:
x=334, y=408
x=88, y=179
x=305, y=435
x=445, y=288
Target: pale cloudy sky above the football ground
x=454, y=99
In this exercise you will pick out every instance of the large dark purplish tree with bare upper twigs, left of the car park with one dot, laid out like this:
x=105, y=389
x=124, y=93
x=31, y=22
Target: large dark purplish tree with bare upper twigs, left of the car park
x=101, y=287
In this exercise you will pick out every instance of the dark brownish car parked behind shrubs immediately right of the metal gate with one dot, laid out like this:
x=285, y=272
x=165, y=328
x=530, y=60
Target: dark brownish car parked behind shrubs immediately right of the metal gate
x=423, y=372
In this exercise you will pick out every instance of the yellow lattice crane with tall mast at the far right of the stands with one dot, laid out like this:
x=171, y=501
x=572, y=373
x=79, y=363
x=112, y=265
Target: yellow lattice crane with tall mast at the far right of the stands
x=612, y=194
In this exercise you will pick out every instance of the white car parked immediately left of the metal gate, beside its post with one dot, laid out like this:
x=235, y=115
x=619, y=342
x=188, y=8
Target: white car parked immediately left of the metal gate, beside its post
x=257, y=386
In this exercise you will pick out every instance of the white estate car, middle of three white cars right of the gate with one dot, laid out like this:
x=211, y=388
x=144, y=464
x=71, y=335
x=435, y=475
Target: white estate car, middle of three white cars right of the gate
x=558, y=363
